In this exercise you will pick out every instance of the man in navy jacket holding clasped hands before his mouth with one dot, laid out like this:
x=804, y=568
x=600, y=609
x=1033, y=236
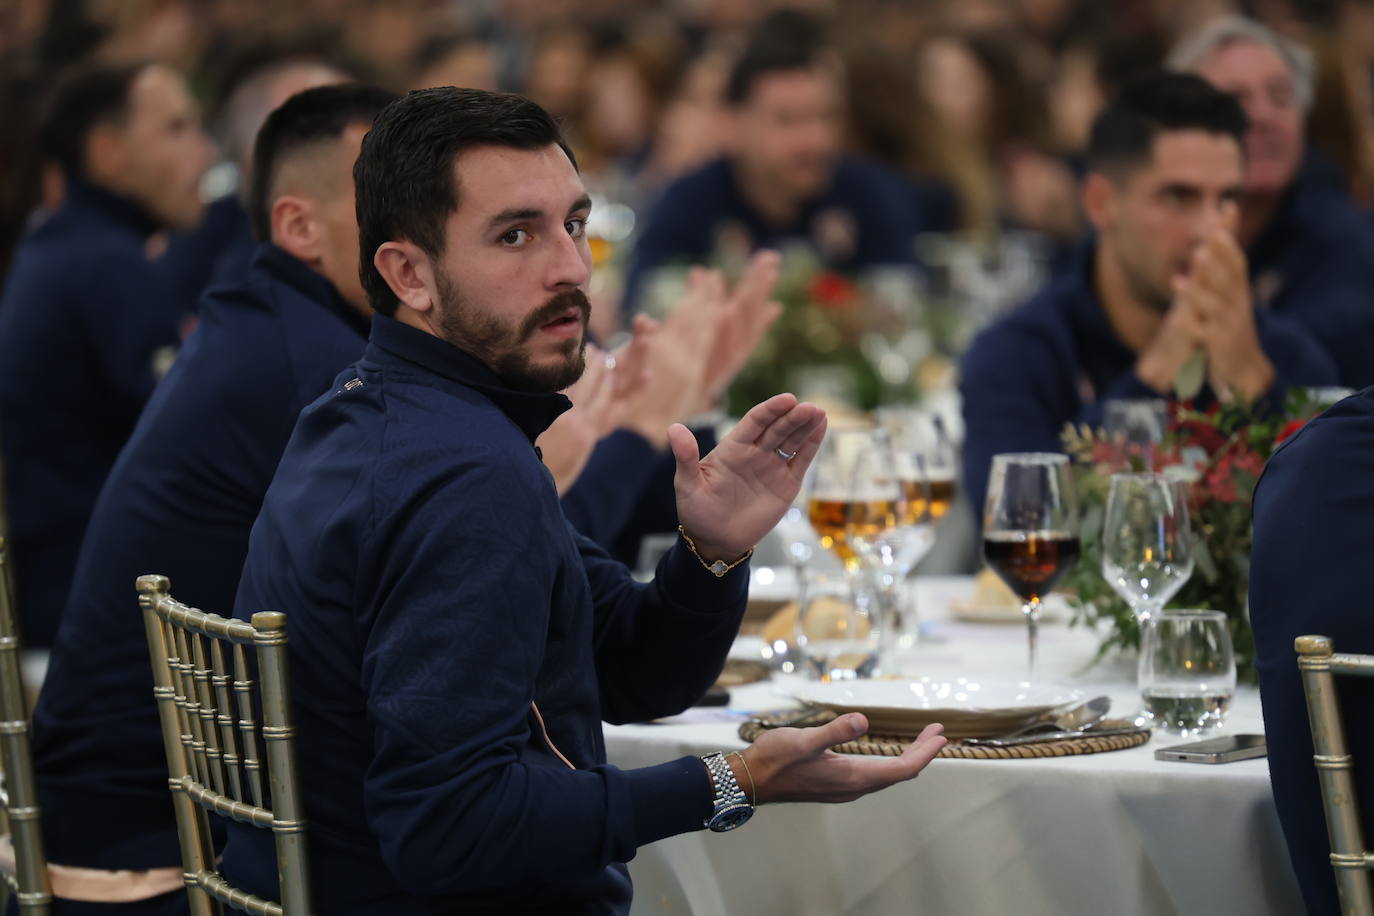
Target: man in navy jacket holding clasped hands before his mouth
x=1160, y=288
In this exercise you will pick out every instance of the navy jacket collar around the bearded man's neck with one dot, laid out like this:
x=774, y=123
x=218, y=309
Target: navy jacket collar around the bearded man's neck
x=532, y=413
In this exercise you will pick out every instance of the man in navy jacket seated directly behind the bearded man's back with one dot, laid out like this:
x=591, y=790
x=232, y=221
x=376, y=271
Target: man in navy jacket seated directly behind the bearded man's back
x=186, y=490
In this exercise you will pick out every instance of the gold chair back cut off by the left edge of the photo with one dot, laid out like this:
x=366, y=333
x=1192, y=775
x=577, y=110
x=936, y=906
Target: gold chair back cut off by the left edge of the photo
x=30, y=880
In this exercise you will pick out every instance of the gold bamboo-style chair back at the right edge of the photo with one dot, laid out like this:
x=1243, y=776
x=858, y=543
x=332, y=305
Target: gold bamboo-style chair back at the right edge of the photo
x=1335, y=768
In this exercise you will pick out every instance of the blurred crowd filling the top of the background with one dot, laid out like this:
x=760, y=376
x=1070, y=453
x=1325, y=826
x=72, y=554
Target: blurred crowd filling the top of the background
x=984, y=105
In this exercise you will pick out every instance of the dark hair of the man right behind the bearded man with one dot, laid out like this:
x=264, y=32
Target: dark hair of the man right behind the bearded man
x=304, y=120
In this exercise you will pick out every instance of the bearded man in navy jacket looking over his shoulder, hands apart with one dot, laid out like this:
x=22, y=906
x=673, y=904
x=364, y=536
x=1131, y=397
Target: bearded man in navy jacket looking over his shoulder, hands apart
x=455, y=643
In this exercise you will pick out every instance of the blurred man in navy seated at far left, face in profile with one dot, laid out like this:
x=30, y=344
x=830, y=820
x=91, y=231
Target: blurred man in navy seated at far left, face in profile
x=86, y=311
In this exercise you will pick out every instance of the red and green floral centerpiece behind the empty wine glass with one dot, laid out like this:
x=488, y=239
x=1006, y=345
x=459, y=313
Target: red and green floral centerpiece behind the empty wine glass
x=1221, y=453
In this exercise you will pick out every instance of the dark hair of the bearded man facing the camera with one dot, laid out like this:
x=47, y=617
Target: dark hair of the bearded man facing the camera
x=405, y=179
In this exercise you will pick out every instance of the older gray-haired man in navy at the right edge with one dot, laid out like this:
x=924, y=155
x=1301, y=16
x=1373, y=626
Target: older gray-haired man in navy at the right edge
x=1311, y=253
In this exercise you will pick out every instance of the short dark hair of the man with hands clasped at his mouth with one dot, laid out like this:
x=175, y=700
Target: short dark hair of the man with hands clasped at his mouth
x=1123, y=135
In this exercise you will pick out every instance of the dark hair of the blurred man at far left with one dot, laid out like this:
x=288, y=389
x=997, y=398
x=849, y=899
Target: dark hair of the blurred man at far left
x=85, y=100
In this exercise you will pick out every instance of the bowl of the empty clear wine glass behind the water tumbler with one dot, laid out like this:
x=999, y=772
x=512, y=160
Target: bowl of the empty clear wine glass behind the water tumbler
x=1147, y=542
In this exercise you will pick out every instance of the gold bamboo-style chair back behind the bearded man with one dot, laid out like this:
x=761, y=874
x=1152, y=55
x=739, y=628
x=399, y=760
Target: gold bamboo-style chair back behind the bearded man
x=207, y=700
